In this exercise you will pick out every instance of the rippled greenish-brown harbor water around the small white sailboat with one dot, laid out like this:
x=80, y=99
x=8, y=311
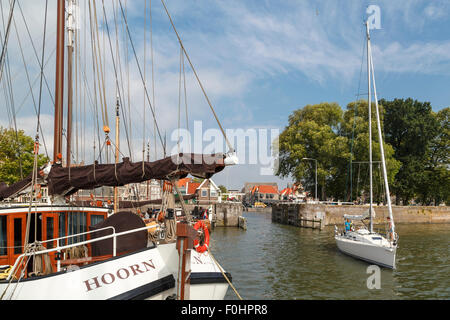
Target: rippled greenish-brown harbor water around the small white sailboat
x=270, y=261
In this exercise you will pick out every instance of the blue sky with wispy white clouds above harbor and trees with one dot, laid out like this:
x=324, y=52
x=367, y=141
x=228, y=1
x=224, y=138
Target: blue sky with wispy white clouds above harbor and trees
x=258, y=61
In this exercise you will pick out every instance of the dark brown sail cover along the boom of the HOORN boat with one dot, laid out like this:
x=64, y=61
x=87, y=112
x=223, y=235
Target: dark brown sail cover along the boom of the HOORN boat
x=66, y=181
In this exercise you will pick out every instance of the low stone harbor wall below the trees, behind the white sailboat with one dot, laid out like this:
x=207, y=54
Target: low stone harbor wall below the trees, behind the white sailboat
x=333, y=214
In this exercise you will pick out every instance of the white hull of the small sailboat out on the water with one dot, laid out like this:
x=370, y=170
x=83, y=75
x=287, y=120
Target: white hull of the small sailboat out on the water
x=370, y=252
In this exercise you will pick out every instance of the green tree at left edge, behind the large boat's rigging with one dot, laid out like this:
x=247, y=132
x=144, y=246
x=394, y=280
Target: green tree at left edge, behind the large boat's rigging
x=16, y=155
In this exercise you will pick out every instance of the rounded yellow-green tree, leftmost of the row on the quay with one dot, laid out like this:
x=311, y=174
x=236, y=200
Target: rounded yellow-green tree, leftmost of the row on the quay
x=313, y=132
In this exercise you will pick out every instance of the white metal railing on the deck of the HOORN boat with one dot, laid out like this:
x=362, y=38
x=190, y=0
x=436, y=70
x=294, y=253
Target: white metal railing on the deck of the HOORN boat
x=114, y=235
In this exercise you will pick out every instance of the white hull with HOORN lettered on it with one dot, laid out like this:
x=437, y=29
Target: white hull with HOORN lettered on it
x=146, y=275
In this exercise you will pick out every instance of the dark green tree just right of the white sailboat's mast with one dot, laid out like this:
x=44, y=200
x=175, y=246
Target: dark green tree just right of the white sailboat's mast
x=410, y=127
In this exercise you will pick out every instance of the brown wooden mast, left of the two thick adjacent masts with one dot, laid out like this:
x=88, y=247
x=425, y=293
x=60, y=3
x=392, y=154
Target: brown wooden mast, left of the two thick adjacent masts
x=59, y=86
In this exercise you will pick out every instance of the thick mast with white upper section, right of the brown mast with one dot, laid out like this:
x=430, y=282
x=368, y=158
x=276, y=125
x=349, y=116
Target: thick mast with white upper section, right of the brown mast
x=70, y=48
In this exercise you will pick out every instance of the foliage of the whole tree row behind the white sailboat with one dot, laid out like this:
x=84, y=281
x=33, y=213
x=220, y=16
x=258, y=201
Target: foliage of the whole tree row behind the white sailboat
x=416, y=147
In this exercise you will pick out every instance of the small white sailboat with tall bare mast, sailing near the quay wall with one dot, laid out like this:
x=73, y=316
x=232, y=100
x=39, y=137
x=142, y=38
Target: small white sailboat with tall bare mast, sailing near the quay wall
x=364, y=243
